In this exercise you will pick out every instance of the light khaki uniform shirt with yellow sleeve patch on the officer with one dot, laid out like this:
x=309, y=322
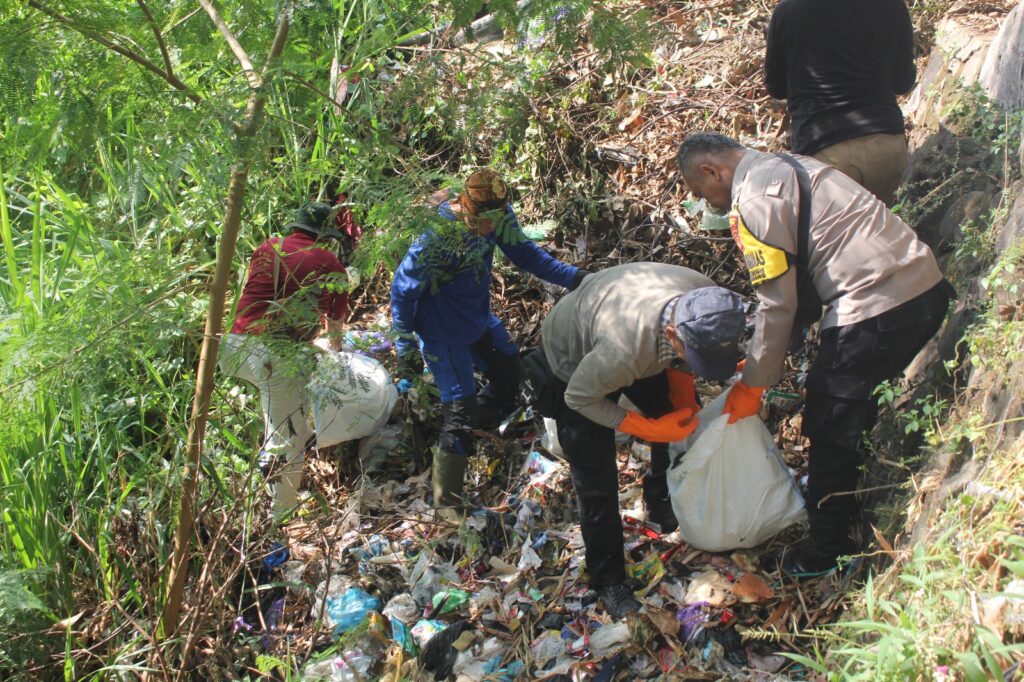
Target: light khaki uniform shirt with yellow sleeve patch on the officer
x=863, y=259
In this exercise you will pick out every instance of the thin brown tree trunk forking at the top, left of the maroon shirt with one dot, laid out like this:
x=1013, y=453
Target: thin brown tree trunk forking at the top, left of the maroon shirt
x=211, y=337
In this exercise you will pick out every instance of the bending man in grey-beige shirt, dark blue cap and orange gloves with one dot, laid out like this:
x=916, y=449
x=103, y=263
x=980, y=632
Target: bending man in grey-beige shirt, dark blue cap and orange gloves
x=643, y=330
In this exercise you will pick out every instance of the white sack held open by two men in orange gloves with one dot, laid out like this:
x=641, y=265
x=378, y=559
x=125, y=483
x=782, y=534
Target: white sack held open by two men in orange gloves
x=732, y=490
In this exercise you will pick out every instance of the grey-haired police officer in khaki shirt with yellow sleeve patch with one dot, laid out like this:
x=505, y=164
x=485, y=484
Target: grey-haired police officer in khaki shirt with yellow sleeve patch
x=884, y=299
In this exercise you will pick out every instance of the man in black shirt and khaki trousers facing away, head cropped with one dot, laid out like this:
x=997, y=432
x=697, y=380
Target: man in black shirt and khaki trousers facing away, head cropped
x=841, y=64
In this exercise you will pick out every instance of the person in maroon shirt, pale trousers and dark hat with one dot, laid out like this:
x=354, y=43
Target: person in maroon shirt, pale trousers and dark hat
x=294, y=292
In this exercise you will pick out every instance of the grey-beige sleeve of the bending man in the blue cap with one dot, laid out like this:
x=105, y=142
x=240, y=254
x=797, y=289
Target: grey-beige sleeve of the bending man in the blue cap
x=598, y=376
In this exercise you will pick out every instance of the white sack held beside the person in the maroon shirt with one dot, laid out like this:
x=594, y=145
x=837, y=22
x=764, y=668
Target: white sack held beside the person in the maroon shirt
x=352, y=396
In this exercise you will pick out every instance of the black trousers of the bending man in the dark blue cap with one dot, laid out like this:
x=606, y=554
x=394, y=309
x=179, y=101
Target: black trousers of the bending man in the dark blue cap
x=591, y=451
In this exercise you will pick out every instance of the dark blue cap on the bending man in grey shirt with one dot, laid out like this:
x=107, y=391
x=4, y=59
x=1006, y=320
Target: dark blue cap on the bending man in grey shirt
x=711, y=322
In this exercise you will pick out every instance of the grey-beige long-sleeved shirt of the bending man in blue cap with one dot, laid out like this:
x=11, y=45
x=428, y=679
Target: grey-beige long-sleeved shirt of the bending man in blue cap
x=605, y=336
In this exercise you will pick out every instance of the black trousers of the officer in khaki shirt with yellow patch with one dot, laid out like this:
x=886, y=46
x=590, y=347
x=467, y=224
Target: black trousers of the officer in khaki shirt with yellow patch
x=841, y=408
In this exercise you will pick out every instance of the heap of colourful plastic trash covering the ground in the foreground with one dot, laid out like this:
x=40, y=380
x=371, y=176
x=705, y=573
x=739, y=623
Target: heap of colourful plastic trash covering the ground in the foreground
x=383, y=587
